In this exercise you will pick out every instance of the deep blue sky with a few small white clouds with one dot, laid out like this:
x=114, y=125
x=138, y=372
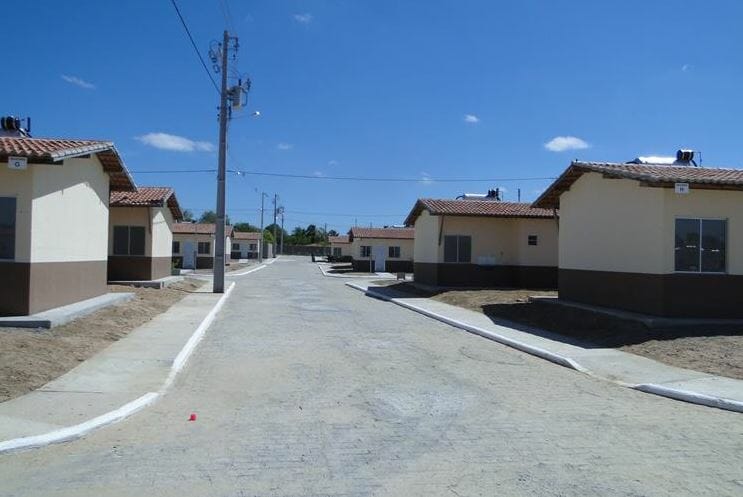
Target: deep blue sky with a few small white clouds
x=385, y=88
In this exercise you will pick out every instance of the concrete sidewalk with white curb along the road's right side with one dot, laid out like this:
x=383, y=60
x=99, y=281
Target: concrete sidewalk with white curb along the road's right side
x=626, y=369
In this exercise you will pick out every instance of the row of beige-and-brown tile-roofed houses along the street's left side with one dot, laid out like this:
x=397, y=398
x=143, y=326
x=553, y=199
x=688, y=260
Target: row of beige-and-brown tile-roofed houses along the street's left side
x=72, y=219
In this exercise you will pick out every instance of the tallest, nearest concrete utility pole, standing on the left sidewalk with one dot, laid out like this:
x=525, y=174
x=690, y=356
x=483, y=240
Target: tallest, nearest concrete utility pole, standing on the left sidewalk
x=218, y=286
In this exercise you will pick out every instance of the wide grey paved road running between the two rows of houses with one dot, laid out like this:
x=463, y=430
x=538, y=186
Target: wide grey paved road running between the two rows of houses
x=304, y=387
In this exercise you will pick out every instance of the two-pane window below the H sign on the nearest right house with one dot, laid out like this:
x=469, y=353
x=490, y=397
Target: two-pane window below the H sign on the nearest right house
x=700, y=245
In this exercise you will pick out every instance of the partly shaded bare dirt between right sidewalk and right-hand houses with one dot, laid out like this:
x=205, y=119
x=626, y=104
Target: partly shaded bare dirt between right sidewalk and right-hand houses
x=717, y=350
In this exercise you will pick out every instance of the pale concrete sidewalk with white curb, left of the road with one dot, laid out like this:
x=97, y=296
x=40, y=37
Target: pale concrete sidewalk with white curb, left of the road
x=126, y=376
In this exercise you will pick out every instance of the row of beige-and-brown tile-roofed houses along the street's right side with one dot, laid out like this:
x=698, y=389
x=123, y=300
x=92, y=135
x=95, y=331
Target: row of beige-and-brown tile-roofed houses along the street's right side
x=659, y=236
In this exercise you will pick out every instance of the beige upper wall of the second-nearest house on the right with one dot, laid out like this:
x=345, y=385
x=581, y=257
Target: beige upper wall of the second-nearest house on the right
x=495, y=241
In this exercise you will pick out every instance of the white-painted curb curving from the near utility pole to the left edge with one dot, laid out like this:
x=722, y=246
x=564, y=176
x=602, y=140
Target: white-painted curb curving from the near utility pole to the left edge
x=79, y=430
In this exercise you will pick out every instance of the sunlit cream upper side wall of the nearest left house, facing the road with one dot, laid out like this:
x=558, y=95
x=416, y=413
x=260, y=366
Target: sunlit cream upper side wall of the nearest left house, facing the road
x=70, y=212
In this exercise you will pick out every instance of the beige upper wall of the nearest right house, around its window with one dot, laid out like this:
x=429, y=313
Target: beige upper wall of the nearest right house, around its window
x=617, y=225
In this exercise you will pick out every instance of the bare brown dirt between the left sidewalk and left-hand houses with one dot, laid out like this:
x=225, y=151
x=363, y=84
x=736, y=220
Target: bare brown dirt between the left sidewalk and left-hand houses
x=31, y=358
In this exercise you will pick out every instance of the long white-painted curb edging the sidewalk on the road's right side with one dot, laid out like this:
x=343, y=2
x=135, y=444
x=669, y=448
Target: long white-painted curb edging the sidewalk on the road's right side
x=651, y=388
